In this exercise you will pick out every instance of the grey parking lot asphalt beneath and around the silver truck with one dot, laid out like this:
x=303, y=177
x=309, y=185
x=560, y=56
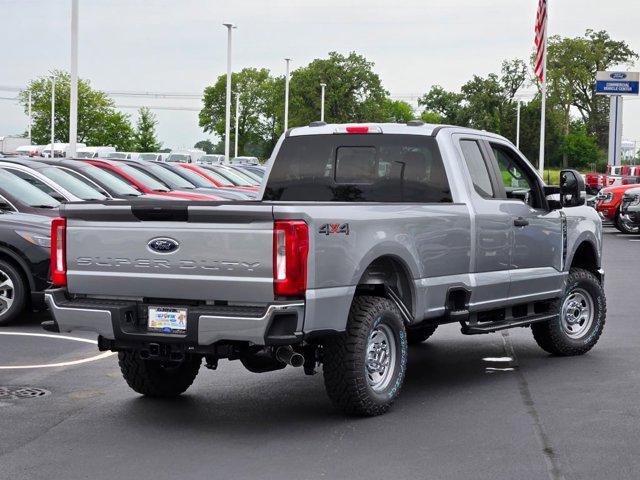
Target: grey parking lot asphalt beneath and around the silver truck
x=483, y=407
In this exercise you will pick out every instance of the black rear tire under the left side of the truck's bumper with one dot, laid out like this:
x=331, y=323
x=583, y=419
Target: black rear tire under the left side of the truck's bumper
x=154, y=378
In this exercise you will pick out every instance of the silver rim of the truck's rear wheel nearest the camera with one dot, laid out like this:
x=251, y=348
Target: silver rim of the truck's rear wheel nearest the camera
x=380, y=364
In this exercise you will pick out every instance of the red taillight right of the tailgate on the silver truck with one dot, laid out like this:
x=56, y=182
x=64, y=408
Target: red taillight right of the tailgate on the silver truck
x=290, y=250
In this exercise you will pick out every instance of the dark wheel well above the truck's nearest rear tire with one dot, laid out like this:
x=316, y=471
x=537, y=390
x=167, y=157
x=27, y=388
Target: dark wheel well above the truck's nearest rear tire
x=387, y=272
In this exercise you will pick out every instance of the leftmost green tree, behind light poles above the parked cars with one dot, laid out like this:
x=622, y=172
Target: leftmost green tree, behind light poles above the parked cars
x=99, y=123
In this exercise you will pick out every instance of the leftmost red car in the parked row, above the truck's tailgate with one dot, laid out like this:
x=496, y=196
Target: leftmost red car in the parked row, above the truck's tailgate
x=145, y=183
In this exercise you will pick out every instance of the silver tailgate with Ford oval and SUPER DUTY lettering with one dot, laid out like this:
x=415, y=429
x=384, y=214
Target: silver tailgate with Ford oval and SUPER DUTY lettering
x=216, y=251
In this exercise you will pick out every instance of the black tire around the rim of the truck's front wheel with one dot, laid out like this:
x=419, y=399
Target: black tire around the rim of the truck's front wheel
x=550, y=335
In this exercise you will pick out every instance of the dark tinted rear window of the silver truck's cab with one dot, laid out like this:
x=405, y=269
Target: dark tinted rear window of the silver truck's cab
x=359, y=168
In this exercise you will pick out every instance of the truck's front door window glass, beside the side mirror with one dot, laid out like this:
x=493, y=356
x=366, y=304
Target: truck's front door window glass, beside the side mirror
x=517, y=180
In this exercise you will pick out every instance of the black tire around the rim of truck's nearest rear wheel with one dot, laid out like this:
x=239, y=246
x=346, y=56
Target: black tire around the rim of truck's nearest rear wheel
x=344, y=358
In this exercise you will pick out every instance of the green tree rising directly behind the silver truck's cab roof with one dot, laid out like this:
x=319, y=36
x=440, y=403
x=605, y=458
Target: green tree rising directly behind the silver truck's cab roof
x=353, y=92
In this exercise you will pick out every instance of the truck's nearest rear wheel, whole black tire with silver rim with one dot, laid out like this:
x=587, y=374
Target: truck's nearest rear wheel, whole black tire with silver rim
x=364, y=367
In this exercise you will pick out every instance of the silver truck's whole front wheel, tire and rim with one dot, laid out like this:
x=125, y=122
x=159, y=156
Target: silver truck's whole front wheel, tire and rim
x=581, y=319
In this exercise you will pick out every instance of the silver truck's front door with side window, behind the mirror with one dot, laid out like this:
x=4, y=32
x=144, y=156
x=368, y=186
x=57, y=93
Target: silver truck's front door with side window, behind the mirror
x=536, y=258
